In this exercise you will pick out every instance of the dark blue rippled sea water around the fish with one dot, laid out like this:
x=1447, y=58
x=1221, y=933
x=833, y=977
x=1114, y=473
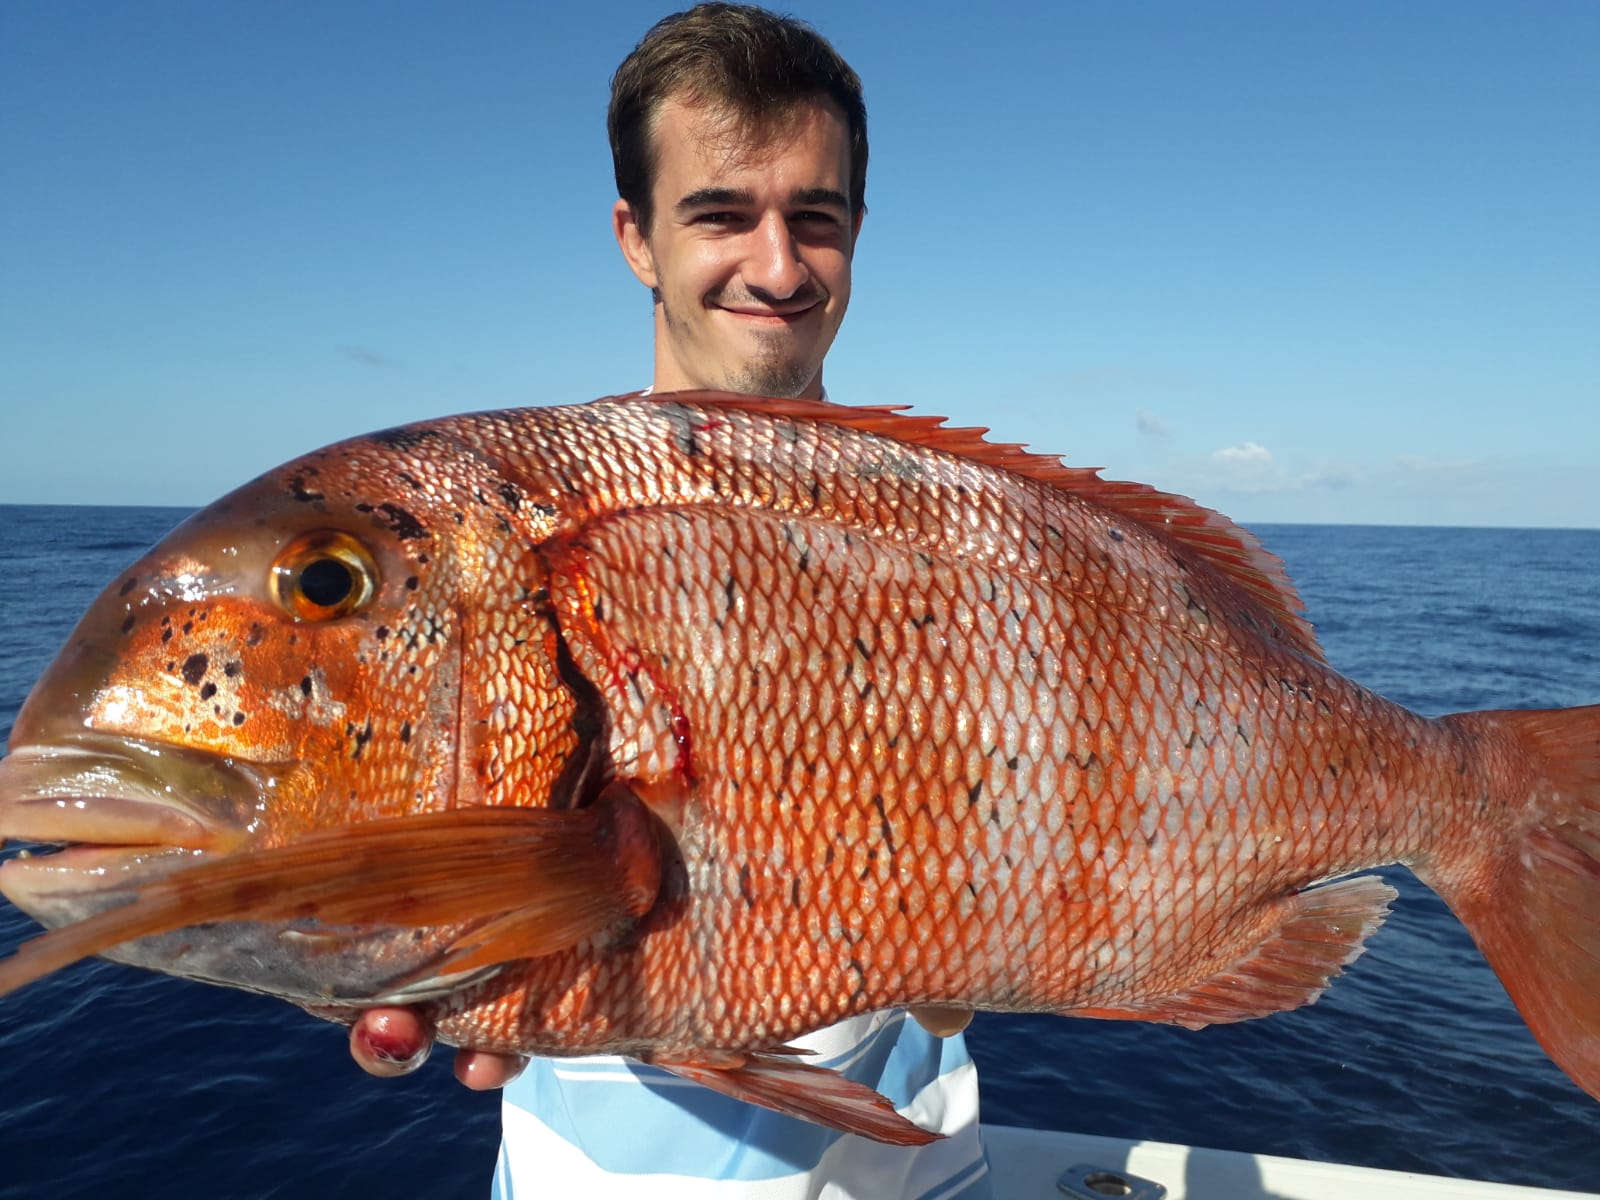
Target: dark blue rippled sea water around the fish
x=116, y=1082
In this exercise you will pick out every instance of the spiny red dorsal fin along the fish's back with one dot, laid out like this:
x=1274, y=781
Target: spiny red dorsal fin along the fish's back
x=1236, y=553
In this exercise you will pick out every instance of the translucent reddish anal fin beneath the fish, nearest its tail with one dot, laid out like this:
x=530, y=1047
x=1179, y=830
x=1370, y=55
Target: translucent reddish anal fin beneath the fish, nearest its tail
x=1322, y=930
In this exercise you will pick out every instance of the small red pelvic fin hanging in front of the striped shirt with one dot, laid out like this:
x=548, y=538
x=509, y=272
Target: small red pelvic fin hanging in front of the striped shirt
x=810, y=1094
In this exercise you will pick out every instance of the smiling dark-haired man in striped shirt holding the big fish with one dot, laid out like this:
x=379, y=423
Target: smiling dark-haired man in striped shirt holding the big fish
x=740, y=150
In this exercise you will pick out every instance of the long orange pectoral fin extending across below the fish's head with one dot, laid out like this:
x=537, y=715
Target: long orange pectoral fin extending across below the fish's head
x=561, y=876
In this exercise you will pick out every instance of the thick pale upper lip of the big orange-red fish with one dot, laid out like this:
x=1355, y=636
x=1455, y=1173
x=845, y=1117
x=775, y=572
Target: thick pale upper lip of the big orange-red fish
x=118, y=791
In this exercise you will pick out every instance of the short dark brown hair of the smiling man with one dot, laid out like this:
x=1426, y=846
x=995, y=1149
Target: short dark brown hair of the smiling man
x=756, y=63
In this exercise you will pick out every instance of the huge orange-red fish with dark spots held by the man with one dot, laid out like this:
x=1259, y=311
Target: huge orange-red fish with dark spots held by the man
x=678, y=727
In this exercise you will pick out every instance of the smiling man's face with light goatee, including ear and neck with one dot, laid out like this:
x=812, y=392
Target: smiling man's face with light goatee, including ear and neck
x=750, y=249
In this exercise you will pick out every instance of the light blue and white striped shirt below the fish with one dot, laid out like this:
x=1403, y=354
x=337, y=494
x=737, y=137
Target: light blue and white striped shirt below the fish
x=609, y=1127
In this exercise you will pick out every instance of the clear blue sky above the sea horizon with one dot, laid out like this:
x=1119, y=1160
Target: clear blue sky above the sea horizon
x=1310, y=263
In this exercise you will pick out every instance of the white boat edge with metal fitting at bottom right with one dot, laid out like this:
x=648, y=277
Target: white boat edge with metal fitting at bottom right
x=1044, y=1166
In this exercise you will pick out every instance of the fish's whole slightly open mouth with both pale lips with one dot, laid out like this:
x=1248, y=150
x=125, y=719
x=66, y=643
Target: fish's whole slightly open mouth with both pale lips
x=105, y=815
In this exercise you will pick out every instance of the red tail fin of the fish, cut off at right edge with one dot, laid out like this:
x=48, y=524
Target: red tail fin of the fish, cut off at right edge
x=1534, y=906
